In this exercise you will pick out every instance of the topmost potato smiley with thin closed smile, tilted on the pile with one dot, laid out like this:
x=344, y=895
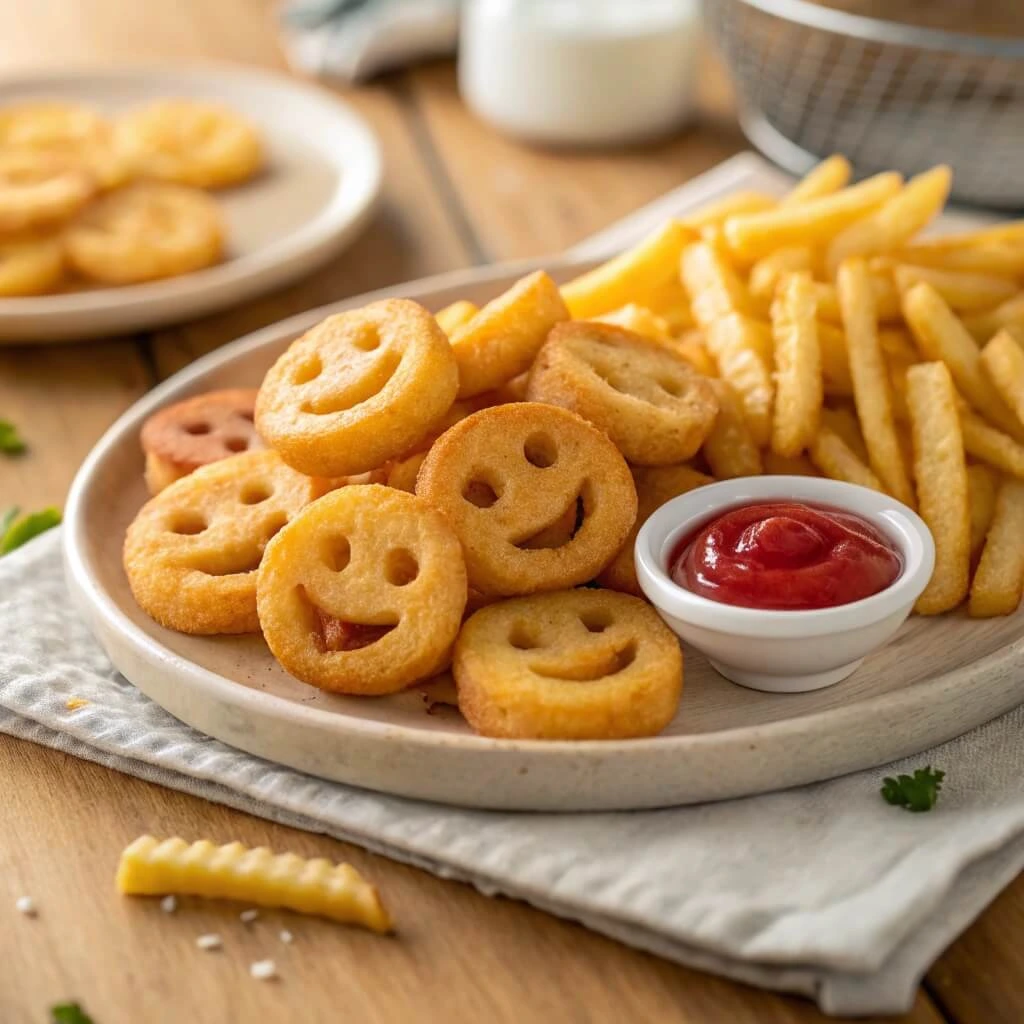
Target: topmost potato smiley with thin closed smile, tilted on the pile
x=361, y=389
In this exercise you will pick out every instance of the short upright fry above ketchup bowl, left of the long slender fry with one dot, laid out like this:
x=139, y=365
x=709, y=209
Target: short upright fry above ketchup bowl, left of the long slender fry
x=799, y=391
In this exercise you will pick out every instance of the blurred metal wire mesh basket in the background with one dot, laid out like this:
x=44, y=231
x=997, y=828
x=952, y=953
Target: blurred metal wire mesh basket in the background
x=814, y=81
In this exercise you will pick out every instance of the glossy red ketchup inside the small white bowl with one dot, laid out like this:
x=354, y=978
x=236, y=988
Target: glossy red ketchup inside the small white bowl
x=786, y=557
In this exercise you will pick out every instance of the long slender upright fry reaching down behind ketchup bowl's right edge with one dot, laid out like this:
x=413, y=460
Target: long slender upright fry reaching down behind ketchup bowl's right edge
x=871, y=380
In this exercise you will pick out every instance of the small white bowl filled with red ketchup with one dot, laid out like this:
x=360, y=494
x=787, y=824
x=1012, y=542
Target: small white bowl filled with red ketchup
x=785, y=583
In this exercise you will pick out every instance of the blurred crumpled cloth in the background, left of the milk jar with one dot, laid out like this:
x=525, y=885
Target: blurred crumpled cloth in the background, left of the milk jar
x=355, y=39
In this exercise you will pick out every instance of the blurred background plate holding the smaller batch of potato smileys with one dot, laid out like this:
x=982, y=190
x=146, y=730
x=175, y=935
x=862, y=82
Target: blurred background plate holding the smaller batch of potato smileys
x=321, y=184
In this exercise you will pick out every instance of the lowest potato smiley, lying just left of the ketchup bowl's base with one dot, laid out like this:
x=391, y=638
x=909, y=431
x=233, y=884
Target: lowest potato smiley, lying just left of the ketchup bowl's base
x=571, y=665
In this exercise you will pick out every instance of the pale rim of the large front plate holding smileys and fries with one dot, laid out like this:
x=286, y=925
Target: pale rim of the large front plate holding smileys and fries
x=249, y=700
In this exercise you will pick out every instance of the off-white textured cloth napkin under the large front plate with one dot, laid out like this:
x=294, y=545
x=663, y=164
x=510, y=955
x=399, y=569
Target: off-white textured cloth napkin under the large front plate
x=825, y=890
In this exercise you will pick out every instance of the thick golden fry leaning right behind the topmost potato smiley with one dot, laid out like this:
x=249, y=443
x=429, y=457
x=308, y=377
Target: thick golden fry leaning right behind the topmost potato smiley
x=501, y=340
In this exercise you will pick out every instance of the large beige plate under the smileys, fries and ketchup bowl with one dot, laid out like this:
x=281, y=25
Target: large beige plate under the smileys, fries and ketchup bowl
x=937, y=679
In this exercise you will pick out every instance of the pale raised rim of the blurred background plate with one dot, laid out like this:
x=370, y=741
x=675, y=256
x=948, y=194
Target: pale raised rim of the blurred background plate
x=351, y=206
